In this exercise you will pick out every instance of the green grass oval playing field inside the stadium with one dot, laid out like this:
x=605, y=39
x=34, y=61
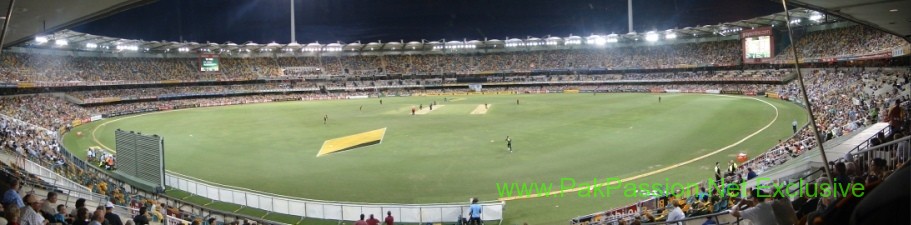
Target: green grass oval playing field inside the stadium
x=449, y=155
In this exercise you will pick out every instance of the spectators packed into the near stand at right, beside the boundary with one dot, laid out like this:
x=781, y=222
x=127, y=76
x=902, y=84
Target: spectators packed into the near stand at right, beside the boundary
x=844, y=102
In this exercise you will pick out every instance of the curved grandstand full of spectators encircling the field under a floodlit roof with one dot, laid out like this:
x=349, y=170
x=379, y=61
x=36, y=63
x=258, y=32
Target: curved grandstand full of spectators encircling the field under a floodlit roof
x=856, y=77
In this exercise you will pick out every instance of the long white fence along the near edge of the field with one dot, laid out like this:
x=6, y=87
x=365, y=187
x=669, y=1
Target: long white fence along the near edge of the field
x=350, y=211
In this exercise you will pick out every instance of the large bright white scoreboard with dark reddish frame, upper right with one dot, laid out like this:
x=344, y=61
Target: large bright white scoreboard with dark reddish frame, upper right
x=757, y=45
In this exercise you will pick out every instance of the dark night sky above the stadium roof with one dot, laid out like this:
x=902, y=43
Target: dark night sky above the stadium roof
x=264, y=21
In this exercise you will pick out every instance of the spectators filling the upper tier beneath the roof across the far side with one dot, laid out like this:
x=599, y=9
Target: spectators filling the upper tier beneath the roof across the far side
x=846, y=41
